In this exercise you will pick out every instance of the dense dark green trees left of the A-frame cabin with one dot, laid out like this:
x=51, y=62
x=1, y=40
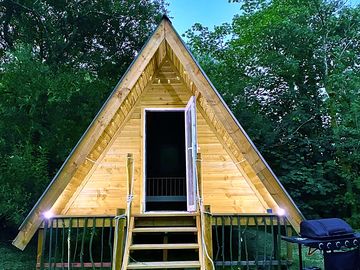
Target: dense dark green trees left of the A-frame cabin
x=59, y=62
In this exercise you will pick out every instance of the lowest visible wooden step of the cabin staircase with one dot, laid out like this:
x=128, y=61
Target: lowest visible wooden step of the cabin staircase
x=164, y=265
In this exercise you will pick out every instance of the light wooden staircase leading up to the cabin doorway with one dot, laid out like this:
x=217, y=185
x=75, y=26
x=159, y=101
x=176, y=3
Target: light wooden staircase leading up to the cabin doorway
x=164, y=241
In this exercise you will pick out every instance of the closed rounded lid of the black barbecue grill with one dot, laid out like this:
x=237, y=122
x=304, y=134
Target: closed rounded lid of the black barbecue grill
x=325, y=228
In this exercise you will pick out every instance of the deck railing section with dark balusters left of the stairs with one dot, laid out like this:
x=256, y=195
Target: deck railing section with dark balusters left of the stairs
x=76, y=242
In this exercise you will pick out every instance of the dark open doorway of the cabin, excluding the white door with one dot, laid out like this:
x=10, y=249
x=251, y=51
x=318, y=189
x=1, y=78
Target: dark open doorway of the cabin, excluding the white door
x=165, y=161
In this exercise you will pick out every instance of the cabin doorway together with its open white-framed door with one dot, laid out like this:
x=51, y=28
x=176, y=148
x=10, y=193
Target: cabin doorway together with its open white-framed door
x=170, y=165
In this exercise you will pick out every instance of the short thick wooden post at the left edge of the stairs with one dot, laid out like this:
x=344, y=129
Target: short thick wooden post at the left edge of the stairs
x=119, y=238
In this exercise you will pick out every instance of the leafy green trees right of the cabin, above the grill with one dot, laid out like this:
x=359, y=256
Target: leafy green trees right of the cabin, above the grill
x=290, y=72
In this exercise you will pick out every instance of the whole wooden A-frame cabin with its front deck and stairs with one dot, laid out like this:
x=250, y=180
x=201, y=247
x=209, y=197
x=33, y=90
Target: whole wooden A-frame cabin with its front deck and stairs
x=164, y=157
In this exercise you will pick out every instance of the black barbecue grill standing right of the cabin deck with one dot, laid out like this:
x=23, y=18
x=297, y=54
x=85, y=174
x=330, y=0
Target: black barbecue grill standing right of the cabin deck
x=334, y=238
